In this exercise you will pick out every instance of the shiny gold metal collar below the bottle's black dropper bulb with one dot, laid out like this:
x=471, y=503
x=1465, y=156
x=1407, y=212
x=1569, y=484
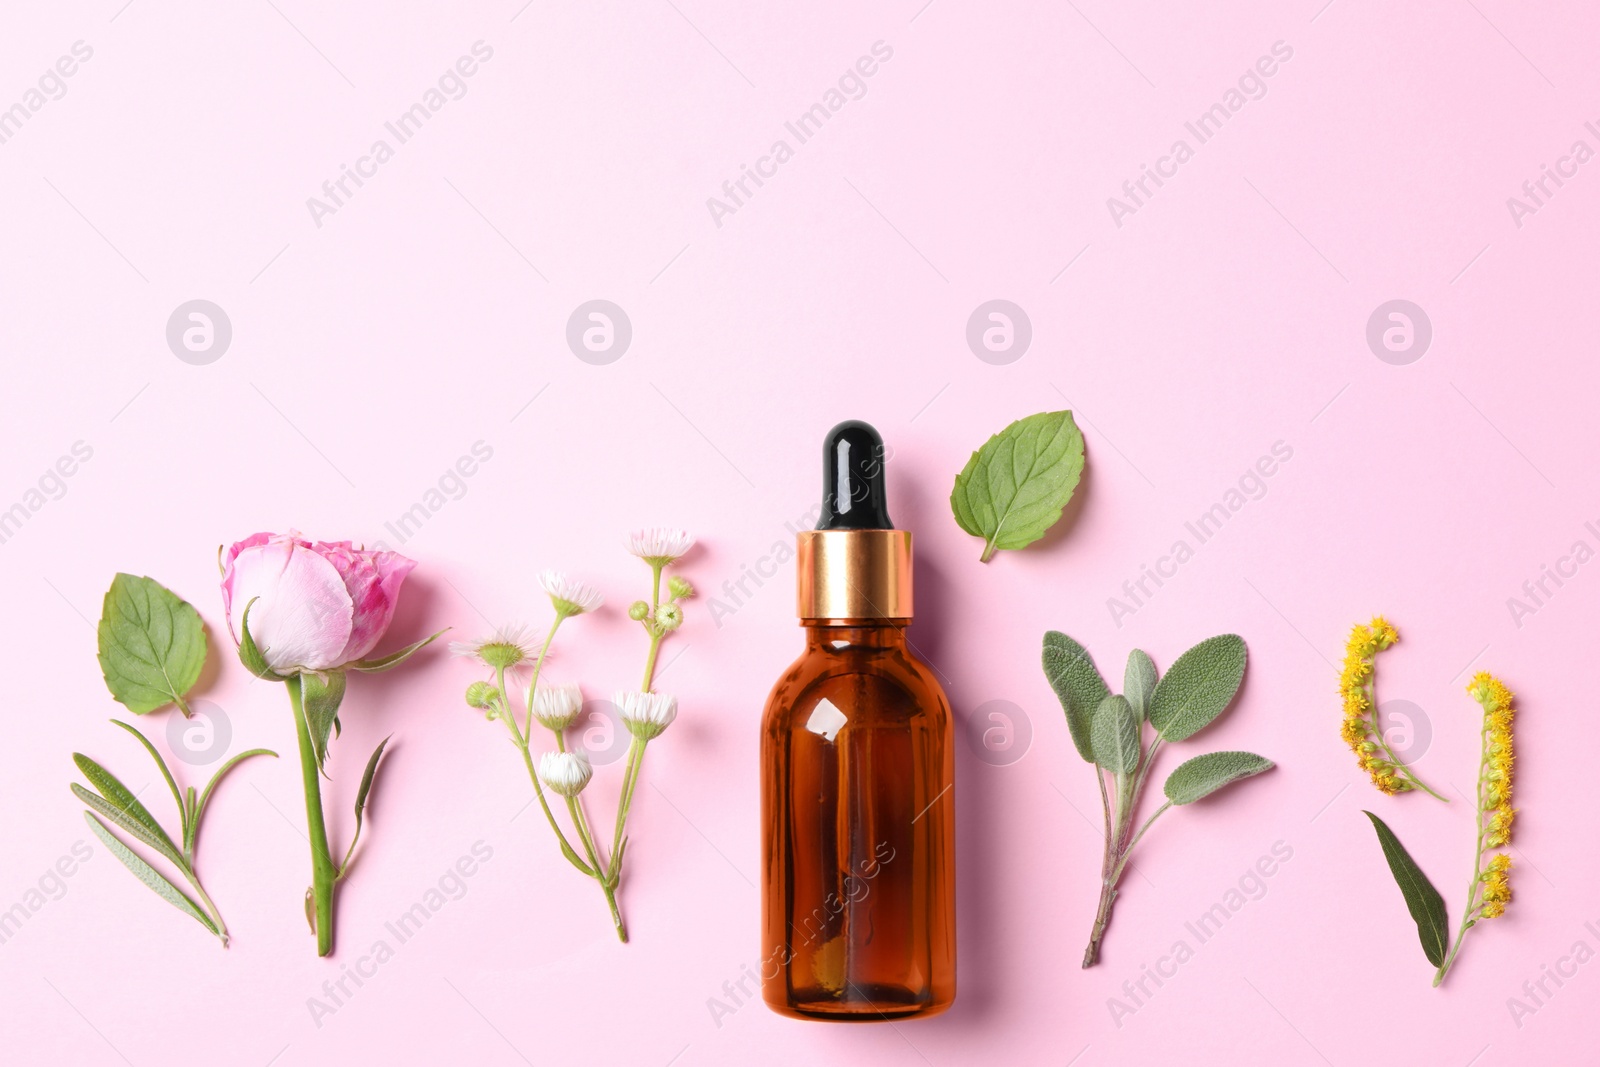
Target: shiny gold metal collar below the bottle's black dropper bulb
x=854, y=573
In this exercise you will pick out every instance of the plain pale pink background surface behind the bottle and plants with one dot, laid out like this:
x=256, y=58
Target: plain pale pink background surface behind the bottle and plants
x=430, y=313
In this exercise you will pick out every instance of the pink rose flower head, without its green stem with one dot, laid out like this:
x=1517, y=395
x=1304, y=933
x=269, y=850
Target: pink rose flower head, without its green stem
x=318, y=605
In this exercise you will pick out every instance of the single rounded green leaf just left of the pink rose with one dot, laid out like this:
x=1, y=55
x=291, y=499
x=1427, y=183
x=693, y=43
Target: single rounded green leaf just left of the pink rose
x=151, y=645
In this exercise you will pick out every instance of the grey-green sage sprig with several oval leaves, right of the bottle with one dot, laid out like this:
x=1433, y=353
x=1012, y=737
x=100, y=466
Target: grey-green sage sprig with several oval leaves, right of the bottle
x=1108, y=730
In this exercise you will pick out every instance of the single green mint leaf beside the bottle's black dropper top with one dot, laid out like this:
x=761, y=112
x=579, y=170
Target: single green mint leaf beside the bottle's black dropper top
x=1015, y=487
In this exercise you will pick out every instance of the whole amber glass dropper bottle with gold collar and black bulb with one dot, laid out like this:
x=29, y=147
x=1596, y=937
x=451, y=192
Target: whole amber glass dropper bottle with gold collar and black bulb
x=858, y=809
